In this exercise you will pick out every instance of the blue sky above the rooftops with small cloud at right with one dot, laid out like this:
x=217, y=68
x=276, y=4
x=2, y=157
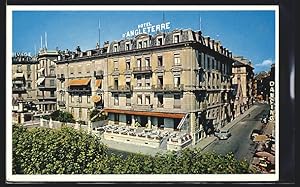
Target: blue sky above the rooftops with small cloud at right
x=246, y=33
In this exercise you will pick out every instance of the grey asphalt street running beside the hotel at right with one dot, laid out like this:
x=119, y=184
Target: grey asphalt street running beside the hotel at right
x=240, y=143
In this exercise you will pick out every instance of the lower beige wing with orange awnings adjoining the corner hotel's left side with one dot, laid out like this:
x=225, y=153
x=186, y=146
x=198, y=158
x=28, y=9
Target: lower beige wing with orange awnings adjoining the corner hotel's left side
x=80, y=77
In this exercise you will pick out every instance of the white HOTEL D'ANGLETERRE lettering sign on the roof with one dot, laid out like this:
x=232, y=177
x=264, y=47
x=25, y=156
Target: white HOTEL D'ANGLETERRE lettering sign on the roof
x=146, y=28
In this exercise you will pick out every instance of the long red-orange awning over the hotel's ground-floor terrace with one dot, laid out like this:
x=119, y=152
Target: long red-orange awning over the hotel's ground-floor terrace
x=141, y=113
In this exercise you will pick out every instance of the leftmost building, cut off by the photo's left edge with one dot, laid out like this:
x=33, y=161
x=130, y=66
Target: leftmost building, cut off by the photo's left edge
x=23, y=87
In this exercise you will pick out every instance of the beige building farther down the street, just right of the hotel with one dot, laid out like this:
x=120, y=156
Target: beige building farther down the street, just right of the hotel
x=242, y=83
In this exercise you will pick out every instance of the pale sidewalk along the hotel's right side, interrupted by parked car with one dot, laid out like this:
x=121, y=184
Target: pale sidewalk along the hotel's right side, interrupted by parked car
x=209, y=140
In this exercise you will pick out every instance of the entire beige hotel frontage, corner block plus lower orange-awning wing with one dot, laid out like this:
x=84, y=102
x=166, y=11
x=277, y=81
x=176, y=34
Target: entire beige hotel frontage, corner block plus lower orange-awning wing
x=178, y=80
